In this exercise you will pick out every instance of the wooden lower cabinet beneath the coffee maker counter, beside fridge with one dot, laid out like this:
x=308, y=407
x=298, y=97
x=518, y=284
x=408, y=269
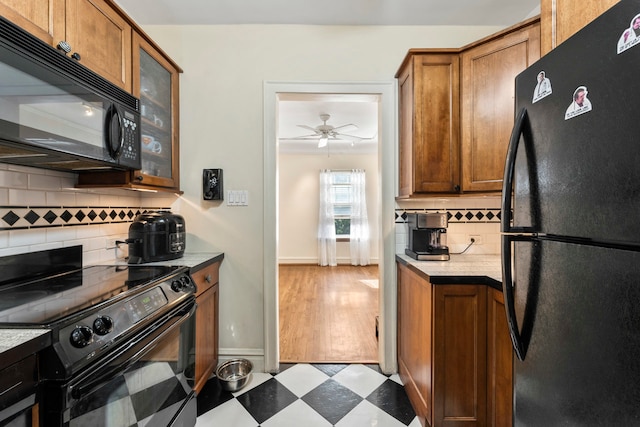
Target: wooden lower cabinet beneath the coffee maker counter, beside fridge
x=454, y=352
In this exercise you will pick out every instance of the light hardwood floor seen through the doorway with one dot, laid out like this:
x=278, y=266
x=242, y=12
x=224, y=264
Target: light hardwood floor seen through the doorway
x=328, y=314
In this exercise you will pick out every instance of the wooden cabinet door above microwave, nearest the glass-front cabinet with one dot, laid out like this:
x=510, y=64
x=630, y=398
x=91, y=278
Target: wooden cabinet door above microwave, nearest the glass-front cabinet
x=102, y=38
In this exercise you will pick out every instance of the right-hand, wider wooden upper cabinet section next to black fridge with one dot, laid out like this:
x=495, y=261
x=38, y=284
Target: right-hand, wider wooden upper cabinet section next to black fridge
x=487, y=108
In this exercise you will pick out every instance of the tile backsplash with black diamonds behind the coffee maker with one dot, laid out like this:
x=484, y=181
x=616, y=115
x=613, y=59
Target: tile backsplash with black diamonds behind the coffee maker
x=479, y=217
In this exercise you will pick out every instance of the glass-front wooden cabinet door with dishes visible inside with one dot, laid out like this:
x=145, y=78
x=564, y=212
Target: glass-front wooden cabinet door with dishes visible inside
x=155, y=82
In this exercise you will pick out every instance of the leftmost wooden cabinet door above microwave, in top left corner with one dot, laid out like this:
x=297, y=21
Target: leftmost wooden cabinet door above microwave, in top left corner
x=42, y=18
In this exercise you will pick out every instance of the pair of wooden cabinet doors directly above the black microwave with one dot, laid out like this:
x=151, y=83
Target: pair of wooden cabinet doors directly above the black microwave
x=93, y=29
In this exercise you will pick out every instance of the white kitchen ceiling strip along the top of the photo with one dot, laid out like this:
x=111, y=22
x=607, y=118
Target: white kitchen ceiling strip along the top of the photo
x=331, y=12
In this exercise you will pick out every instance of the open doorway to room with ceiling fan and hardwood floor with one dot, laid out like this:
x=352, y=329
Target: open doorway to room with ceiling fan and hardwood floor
x=326, y=314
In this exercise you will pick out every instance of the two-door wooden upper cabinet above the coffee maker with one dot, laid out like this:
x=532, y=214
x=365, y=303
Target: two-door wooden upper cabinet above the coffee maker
x=456, y=112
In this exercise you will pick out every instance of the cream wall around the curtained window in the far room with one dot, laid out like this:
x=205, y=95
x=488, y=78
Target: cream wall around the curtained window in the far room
x=299, y=203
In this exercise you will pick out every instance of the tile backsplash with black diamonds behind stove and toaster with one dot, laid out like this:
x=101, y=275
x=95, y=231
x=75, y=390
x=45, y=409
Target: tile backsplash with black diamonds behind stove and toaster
x=42, y=209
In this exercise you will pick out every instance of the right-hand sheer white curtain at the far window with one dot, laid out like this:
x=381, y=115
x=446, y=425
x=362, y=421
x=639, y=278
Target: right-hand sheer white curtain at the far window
x=359, y=235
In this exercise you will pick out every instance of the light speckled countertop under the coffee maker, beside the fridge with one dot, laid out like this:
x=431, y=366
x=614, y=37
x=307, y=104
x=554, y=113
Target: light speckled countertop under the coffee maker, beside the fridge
x=459, y=269
